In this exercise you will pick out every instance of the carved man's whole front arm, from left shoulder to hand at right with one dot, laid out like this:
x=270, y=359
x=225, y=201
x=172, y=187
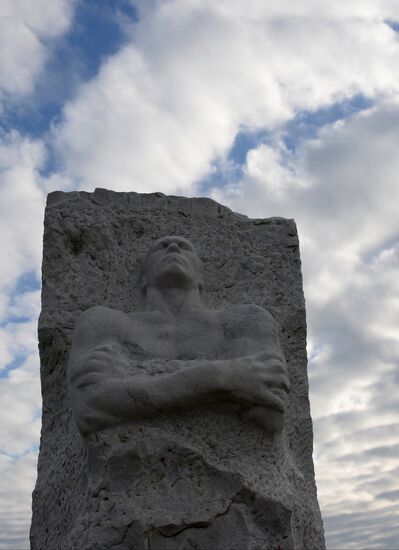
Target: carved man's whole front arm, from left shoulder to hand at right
x=104, y=394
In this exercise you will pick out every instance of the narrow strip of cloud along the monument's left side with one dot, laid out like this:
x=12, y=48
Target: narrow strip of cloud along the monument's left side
x=21, y=211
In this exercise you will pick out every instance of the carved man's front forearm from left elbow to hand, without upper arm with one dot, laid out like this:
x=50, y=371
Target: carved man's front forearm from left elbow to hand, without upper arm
x=246, y=380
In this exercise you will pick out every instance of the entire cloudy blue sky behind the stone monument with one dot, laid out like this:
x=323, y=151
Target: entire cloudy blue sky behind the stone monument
x=277, y=108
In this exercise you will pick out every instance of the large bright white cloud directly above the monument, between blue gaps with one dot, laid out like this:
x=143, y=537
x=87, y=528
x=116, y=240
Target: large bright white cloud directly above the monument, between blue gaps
x=174, y=98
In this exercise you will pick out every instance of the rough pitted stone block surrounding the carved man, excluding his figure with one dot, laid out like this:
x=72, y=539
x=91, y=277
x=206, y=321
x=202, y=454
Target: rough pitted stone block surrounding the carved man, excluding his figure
x=204, y=478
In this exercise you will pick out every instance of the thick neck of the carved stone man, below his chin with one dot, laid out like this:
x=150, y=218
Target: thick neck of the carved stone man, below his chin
x=174, y=301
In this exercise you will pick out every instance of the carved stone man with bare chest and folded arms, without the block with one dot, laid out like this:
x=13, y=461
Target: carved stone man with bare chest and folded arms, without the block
x=204, y=356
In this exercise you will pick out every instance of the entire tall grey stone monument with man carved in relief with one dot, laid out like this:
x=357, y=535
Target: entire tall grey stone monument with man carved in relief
x=173, y=362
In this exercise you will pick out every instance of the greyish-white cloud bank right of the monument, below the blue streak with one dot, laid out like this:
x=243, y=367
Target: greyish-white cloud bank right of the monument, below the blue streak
x=342, y=189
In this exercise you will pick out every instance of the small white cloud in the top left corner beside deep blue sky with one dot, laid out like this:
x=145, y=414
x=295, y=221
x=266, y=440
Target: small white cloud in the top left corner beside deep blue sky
x=26, y=28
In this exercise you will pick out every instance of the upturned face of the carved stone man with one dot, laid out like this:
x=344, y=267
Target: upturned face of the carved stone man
x=173, y=262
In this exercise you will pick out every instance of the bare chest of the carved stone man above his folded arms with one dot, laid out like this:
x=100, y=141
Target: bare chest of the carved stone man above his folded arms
x=196, y=334
